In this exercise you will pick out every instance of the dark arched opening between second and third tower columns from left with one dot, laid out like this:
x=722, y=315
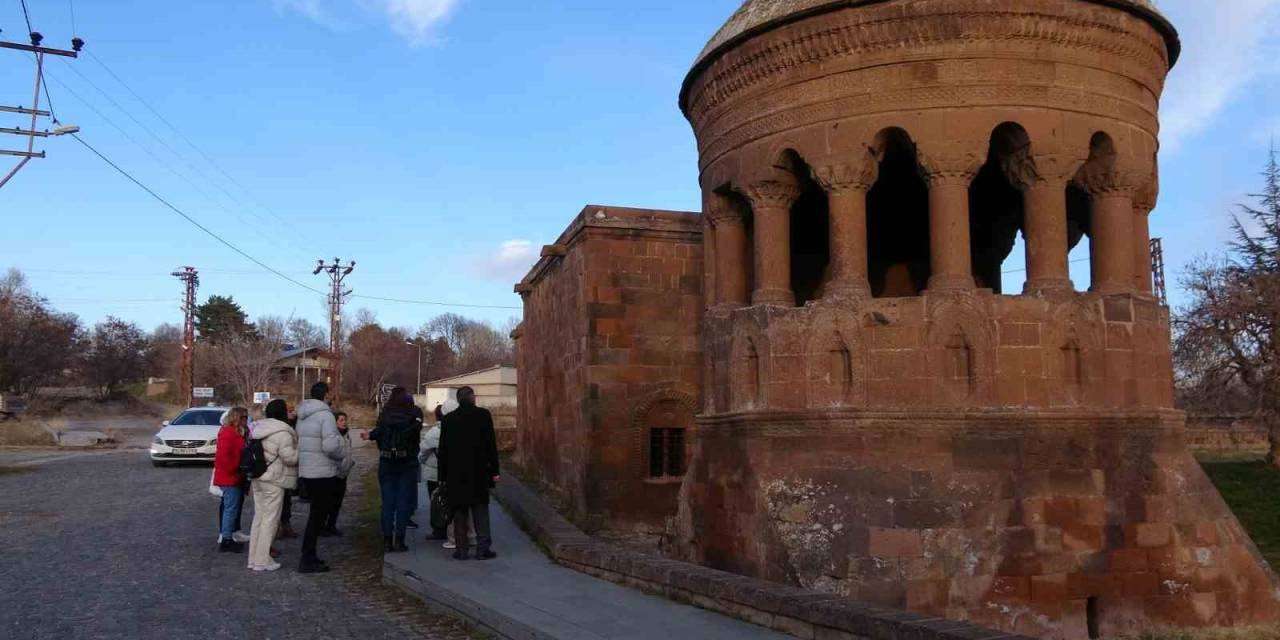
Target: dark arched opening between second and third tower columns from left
x=811, y=232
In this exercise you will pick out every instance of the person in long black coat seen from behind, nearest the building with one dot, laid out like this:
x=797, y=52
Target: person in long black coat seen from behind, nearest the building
x=469, y=469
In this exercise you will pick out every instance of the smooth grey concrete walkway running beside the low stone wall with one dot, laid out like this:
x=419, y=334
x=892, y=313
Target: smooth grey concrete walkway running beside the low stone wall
x=525, y=596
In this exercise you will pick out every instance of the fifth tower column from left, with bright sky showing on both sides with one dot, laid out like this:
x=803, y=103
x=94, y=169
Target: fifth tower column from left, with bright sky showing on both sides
x=1044, y=184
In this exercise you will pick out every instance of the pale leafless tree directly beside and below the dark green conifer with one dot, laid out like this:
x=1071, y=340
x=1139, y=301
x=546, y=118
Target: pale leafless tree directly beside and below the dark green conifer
x=246, y=363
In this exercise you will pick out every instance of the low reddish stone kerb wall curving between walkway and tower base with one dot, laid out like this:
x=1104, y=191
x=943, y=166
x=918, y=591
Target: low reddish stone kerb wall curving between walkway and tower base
x=780, y=607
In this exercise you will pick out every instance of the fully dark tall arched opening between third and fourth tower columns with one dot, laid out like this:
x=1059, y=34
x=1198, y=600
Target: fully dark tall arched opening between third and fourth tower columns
x=898, y=221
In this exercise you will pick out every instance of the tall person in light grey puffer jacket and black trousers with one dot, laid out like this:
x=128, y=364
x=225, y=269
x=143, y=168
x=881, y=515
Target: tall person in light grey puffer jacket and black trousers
x=321, y=452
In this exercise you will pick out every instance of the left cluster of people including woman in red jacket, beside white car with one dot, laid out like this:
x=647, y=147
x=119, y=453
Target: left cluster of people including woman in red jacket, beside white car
x=307, y=451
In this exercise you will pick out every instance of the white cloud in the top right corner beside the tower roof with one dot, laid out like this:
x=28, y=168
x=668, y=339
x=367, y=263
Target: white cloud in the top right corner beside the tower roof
x=1224, y=51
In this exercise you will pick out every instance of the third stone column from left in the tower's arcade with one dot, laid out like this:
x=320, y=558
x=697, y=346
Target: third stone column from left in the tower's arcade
x=847, y=185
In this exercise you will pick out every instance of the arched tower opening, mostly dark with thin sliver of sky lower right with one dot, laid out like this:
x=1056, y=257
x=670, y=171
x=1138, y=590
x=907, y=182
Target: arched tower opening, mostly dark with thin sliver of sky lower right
x=996, y=209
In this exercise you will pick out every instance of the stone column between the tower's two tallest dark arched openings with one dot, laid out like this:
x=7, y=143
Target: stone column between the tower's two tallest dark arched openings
x=949, y=171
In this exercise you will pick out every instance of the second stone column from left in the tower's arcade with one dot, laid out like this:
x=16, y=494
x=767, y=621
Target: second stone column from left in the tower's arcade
x=771, y=209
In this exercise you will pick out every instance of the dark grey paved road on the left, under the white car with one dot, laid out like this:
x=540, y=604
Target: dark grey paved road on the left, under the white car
x=104, y=546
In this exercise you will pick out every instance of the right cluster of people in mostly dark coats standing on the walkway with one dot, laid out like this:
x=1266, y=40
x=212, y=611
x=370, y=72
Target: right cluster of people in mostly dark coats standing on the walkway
x=458, y=458
